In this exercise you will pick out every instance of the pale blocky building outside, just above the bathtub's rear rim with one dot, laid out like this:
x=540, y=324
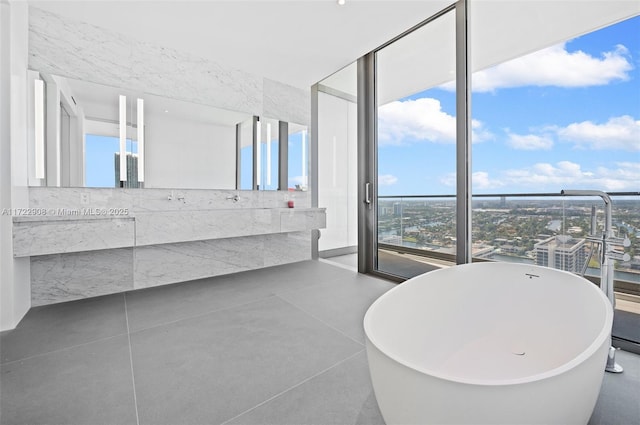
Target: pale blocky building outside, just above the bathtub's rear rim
x=561, y=252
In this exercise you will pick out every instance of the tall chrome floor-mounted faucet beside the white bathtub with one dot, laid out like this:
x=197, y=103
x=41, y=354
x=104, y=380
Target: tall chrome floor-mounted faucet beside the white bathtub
x=608, y=254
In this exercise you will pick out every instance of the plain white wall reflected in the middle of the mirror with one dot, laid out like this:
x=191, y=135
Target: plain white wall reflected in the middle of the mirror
x=185, y=154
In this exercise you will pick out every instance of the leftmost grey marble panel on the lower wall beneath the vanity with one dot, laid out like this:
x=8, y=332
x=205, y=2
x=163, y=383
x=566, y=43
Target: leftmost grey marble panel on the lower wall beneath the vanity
x=65, y=277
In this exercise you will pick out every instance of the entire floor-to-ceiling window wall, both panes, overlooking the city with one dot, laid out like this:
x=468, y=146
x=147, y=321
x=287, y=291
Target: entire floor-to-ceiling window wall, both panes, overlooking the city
x=555, y=106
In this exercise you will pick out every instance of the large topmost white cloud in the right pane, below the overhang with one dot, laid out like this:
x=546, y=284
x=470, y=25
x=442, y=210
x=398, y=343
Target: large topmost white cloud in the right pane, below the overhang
x=554, y=66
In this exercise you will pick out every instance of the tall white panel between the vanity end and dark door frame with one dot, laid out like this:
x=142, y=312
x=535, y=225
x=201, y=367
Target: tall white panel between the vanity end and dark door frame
x=337, y=171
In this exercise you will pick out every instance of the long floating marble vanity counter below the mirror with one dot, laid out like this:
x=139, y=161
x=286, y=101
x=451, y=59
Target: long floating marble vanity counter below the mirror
x=67, y=230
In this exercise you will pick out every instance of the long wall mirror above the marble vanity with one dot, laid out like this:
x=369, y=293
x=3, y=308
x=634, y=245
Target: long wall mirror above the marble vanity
x=84, y=134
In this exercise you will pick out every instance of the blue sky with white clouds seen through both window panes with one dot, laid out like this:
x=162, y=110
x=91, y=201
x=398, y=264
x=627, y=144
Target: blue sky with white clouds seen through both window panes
x=567, y=116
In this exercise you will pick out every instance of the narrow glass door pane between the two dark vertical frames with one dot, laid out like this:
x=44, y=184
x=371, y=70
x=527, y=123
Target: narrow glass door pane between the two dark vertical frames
x=416, y=149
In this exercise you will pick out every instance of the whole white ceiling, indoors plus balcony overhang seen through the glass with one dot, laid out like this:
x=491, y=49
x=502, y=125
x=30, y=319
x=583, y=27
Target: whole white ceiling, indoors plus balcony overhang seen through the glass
x=302, y=42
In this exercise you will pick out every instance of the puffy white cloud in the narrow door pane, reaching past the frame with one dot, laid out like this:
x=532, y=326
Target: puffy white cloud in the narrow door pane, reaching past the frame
x=421, y=120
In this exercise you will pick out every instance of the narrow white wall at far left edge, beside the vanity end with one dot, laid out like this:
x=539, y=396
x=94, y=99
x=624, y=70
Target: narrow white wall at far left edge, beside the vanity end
x=15, y=289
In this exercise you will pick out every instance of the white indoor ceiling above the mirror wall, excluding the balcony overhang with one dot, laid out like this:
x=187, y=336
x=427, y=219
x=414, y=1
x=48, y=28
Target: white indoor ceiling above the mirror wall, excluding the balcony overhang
x=297, y=42
